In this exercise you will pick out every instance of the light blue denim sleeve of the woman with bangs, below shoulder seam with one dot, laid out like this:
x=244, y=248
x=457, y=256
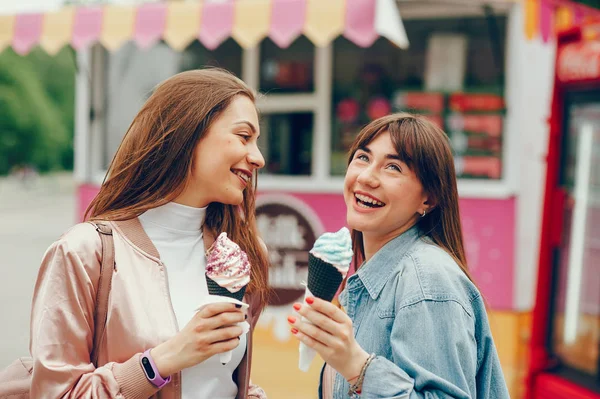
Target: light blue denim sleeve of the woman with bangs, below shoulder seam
x=434, y=352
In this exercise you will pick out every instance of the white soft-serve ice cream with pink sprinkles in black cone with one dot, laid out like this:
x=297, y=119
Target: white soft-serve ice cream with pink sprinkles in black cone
x=227, y=268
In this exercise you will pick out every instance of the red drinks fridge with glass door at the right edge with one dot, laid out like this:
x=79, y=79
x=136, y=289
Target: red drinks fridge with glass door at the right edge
x=565, y=342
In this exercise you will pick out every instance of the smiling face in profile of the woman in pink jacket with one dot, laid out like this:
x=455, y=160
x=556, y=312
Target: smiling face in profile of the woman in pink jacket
x=225, y=158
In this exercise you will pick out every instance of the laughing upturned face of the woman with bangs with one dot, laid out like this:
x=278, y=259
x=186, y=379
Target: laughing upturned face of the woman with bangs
x=384, y=198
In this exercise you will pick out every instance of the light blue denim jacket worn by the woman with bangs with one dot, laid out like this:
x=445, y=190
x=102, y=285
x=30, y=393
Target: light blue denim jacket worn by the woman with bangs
x=413, y=307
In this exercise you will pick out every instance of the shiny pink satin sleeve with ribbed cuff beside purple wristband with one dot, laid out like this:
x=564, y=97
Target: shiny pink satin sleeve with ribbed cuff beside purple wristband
x=62, y=330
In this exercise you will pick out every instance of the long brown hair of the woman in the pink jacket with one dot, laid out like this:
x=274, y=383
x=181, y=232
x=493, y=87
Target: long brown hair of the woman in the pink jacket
x=155, y=157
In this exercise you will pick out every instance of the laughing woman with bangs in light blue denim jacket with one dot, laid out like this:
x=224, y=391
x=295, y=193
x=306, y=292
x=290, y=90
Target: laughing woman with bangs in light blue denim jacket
x=414, y=325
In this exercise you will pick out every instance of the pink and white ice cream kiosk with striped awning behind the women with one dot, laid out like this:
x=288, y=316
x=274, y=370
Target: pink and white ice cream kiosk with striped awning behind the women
x=481, y=69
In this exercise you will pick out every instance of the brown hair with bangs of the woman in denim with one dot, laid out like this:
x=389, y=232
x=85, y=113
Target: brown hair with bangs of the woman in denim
x=424, y=148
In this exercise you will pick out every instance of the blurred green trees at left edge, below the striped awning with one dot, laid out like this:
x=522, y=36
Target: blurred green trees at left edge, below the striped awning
x=37, y=100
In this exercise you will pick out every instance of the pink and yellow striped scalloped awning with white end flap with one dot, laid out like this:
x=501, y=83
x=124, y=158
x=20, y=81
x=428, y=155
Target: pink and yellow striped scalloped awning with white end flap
x=211, y=22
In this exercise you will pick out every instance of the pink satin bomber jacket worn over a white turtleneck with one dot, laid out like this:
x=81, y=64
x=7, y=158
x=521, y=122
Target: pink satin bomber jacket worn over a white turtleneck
x=140, y=316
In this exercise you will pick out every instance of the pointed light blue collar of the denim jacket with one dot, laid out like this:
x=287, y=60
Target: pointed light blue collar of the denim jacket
x=376, y=272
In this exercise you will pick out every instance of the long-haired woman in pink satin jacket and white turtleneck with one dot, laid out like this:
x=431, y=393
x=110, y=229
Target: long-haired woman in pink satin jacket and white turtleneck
x=184, y=173
